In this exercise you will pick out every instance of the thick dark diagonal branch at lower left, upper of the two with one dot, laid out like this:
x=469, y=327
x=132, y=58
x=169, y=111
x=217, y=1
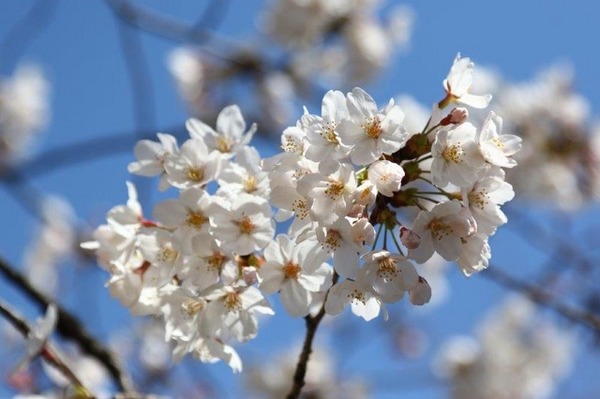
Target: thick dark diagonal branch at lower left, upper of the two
x=71, y=328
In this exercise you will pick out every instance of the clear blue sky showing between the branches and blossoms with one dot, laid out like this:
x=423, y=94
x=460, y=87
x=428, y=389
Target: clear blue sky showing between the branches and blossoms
x=91, y=97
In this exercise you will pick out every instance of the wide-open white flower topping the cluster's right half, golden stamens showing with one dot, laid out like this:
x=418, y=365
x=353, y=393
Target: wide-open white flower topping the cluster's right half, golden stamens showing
x=372, y=132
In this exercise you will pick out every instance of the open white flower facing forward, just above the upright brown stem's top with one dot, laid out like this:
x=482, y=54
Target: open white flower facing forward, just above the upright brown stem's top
x=296, y=270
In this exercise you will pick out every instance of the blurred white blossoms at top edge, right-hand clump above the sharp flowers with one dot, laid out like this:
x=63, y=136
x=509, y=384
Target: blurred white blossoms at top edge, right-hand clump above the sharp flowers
x=329, y=34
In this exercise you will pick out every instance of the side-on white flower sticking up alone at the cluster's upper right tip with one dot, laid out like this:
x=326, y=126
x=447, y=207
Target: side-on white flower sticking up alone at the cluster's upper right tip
x=458, y=82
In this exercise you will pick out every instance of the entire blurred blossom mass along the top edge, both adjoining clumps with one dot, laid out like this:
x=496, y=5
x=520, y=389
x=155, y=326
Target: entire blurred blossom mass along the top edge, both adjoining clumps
x=312, y=43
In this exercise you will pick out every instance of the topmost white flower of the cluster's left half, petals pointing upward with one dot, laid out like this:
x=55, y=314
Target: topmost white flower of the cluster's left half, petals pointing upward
x=230, y=135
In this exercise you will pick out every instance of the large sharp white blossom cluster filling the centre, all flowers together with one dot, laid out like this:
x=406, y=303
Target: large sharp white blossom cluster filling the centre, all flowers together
x=365, y=199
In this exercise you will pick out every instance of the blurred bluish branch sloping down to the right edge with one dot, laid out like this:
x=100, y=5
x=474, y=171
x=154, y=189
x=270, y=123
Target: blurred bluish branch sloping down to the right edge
x=541, y=297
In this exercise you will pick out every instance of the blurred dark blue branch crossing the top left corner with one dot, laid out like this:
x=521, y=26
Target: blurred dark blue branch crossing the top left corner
x=25, y=29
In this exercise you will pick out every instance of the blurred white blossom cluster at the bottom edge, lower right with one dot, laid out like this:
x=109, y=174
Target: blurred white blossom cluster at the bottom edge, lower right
x=516, y=354
